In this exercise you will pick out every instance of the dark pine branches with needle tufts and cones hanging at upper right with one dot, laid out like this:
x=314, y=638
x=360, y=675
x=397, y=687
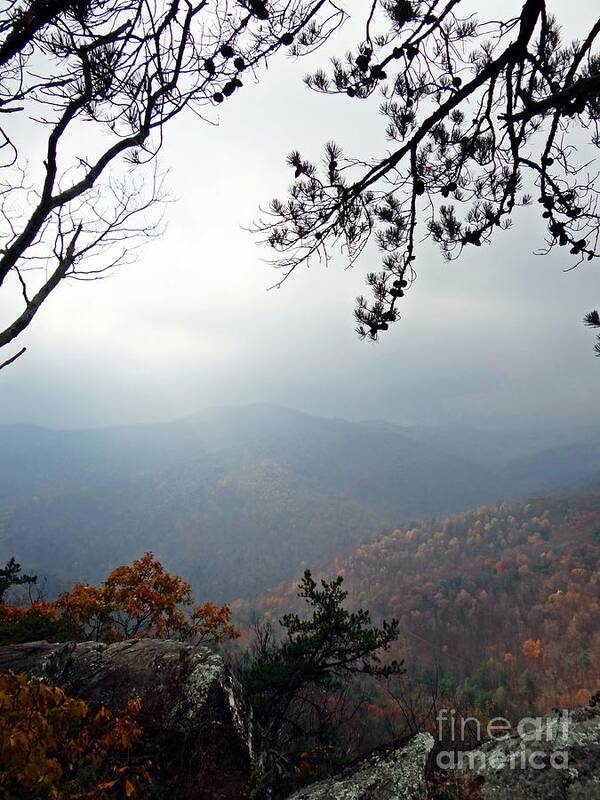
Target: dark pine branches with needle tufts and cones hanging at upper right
x=480, y=114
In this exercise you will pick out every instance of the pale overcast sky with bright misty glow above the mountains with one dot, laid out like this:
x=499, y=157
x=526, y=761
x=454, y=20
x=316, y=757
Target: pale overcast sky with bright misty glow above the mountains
x=492, y=340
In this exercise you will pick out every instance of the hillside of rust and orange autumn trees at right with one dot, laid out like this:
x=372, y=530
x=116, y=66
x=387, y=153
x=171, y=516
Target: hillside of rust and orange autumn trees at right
x=500, y=602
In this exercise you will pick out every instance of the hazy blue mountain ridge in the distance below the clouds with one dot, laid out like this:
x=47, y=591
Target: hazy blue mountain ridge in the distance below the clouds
x=234, y=499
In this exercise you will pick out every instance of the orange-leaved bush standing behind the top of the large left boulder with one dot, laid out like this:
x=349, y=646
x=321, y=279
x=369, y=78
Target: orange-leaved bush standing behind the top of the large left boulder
x=143, y=599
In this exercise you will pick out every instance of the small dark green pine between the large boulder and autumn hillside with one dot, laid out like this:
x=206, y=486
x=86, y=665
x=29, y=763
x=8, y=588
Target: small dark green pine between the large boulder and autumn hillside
x=291, y=681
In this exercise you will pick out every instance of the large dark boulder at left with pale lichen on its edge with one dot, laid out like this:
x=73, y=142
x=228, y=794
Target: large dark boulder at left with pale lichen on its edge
x=195, y=722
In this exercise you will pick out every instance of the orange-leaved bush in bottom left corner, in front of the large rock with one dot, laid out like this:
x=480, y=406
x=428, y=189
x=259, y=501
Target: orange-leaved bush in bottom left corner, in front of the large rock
x=53, y=747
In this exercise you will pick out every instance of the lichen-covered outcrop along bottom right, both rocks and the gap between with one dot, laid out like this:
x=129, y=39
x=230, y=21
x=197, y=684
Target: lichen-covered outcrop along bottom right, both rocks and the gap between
x=552, y=758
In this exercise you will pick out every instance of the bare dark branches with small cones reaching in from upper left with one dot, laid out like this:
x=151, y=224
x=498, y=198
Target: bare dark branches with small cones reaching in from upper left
x=97, y=84
